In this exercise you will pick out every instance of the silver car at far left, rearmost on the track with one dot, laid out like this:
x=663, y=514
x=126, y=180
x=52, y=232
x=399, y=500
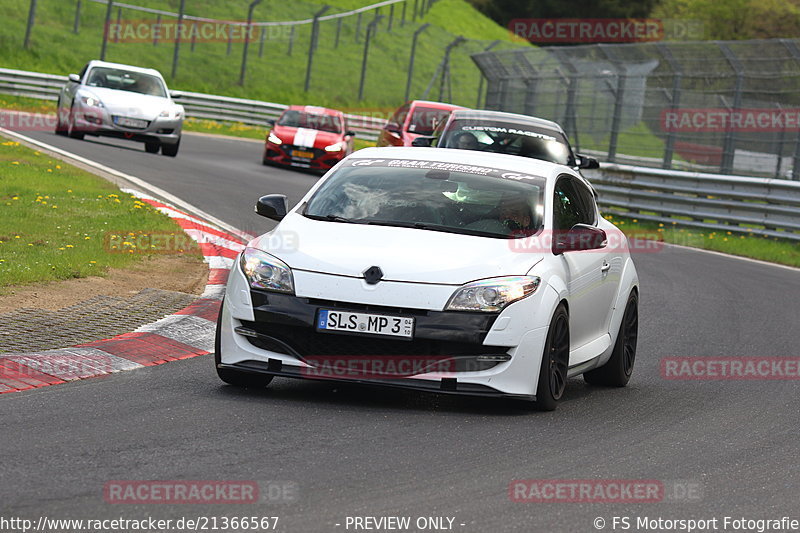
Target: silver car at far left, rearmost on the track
x=121, y=101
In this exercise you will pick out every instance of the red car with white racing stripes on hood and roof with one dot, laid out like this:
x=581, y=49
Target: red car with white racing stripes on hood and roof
x=309, y=137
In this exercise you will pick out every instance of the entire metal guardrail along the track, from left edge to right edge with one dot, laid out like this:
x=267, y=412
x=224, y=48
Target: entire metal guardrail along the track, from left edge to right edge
x=761, y=206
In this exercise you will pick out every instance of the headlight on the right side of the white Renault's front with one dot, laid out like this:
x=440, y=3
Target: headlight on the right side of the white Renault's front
x=492, y=295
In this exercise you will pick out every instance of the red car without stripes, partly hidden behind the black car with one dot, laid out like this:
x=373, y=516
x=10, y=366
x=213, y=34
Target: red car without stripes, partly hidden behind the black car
x=413, y=119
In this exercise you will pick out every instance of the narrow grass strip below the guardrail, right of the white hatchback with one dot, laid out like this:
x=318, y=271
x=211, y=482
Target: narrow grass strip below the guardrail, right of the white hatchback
x=763, y=248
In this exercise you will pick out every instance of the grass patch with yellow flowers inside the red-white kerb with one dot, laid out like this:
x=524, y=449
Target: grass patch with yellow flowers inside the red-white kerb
x=58, y=222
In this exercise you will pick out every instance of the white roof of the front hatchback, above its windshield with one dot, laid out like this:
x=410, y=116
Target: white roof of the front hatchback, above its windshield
x=534, y=167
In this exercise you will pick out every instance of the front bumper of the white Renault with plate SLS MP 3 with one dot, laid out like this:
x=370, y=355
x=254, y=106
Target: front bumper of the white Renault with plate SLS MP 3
x=454, y=352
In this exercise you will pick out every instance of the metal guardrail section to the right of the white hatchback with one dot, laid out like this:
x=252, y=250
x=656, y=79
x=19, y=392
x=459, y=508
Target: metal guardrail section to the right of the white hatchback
x=759, y=206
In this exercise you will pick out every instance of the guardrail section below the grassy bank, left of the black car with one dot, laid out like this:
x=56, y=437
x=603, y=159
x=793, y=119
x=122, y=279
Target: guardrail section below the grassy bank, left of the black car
x=197, y=105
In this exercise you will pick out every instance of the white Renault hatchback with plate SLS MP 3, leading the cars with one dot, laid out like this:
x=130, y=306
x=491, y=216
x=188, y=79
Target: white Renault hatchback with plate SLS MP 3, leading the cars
x=440, y=270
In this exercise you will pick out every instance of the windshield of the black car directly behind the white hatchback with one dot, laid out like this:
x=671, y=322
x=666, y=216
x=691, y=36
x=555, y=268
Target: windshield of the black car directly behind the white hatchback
x=509, y=138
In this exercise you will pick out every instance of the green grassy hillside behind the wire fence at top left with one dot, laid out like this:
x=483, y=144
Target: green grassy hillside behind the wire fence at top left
x=276, y=76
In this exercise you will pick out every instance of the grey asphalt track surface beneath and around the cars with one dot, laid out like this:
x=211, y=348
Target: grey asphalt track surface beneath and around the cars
x=370, y=452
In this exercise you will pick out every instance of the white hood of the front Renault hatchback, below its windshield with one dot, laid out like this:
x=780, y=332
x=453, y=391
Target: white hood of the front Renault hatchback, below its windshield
x=403, y=254
